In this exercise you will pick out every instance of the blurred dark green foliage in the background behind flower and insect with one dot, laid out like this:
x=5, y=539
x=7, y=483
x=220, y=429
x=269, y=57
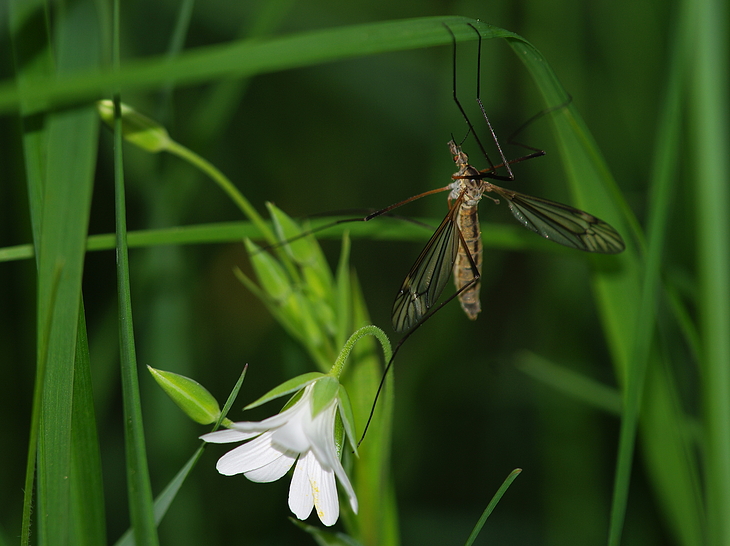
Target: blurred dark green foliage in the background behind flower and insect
x=363, y=134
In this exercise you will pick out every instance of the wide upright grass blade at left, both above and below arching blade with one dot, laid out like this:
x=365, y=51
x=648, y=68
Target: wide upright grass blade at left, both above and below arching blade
x=71, y=157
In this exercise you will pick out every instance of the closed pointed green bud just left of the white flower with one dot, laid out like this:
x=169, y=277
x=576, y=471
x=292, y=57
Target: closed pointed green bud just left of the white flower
x=189, y=395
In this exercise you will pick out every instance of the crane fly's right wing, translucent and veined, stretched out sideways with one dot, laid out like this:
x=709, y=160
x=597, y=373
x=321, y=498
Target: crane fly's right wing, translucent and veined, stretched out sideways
x=563, y=224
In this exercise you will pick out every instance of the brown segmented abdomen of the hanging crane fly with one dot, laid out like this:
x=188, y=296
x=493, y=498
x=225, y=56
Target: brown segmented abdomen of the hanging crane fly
x=464, y=273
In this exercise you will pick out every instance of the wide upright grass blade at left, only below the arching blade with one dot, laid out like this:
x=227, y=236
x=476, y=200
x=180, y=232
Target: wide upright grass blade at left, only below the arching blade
x=65, y=216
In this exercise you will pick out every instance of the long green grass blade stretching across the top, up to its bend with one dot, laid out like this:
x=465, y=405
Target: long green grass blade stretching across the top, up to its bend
x=250, y=57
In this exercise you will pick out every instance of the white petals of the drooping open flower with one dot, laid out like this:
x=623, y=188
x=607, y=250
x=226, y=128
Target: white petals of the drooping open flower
x=279, y=441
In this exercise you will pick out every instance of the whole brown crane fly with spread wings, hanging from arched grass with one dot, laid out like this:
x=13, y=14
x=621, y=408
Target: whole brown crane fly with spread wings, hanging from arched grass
x=456, y=246
